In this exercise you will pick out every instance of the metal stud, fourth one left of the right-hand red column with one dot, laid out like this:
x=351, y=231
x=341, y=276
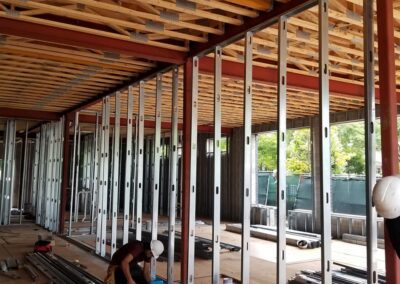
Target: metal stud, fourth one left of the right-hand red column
x=247, y=111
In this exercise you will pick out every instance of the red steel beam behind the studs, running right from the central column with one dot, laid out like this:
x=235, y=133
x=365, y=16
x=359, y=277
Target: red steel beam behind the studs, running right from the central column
x=269, y=76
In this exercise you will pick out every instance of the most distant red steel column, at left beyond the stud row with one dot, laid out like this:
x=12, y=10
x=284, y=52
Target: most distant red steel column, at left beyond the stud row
x=65, y=175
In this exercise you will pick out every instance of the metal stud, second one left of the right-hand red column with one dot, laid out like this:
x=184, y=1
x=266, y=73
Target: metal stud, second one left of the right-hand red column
x=325, y=164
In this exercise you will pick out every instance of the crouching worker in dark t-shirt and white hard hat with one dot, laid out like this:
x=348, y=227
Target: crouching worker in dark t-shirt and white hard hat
x=124, y=266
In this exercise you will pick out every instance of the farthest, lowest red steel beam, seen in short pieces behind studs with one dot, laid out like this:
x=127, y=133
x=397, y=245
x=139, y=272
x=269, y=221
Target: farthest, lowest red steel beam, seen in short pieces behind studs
x=84, y=118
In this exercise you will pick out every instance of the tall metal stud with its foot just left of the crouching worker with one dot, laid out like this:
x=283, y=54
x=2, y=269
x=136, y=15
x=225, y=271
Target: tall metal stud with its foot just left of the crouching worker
x=106, y=131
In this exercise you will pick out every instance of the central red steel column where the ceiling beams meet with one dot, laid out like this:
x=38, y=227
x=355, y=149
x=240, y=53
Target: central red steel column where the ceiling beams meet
x=187, y=119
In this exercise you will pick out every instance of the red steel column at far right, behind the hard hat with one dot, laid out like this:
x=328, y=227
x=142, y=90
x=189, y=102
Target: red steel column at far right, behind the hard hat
x=388, y=106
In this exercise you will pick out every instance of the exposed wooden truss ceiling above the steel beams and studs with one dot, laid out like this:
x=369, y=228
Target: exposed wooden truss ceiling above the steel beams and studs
x=48, y=76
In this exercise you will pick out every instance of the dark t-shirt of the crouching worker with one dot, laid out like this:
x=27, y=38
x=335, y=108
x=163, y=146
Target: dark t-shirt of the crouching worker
x=135, y=248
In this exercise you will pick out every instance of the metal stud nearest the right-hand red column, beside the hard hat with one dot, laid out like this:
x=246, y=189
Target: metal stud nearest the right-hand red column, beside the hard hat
x=370, y=166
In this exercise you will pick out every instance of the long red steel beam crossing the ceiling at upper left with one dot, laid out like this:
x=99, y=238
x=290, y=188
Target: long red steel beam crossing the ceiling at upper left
x=47, y=33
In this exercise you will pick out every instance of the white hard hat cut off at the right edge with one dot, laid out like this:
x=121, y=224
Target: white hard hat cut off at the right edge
x=386, y=197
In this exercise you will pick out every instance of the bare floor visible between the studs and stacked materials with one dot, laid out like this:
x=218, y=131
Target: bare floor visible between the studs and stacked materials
x=16, y=240
